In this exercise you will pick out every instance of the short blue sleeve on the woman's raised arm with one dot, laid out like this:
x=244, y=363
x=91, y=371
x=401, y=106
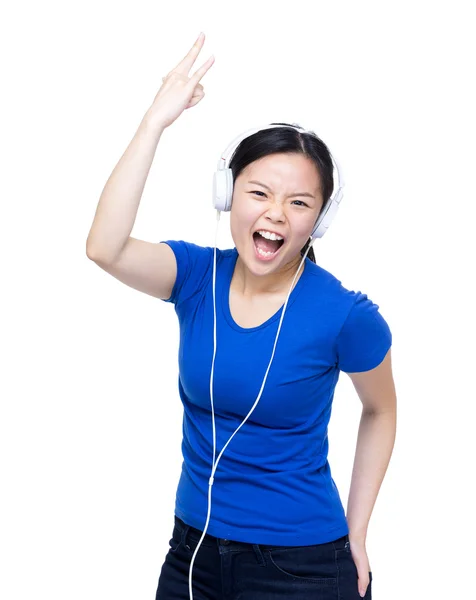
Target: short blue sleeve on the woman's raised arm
x=193, y=269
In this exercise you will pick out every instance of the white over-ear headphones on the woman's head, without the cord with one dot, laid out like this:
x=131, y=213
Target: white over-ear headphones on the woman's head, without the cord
x=223, y=183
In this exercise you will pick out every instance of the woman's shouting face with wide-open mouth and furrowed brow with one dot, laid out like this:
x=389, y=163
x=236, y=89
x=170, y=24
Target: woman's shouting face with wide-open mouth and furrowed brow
x=277, y=194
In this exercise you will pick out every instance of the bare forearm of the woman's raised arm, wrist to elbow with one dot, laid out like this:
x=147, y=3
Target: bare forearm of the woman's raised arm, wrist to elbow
x=119, y=202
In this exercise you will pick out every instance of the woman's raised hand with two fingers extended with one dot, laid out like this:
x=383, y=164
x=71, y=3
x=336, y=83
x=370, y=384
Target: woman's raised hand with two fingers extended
x=180, y=91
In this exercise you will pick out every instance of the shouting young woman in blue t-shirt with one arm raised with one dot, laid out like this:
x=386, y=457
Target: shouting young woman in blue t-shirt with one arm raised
x=265, y=519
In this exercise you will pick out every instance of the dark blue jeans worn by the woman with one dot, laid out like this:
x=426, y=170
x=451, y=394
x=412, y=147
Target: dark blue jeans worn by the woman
x=228, y=570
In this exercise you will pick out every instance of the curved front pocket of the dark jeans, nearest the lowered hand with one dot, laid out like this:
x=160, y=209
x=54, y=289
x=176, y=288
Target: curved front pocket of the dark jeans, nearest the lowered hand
x=305, y=563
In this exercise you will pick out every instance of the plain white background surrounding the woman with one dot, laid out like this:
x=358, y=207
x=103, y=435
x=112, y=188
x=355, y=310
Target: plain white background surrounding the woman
x=90, y=427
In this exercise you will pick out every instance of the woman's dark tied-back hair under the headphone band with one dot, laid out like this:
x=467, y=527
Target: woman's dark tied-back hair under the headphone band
x=287, y=139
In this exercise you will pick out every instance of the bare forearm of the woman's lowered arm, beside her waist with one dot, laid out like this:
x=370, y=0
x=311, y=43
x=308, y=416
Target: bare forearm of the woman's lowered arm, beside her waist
x=374, y=448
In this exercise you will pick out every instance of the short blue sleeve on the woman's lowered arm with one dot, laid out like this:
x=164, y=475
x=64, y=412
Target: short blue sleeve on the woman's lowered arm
x=365, y=337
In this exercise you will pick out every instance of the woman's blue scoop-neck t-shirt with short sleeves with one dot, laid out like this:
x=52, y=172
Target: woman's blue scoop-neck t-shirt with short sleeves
x=273, y=484
